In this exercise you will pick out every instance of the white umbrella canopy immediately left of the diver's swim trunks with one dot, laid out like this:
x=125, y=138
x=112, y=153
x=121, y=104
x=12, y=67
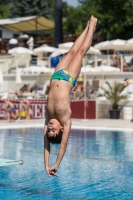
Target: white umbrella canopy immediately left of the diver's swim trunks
x=37, y=69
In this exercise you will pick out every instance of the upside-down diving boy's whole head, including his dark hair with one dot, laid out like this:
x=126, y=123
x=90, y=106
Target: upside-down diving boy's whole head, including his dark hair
x=54, y=131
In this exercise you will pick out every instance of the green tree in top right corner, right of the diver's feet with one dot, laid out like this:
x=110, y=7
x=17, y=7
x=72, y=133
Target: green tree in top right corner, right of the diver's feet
x=115, y=17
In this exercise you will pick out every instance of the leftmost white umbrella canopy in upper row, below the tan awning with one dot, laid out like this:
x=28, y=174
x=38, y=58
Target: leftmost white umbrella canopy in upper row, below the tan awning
x=20, y=50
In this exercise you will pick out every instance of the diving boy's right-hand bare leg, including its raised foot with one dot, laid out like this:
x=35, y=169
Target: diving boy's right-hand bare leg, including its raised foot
x=76, y=63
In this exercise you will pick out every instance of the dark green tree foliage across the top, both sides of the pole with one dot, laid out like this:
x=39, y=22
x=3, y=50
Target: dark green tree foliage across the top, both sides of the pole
x=114, y=16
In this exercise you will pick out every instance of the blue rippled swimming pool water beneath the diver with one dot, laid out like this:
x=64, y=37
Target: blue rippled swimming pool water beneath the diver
x=97, y=165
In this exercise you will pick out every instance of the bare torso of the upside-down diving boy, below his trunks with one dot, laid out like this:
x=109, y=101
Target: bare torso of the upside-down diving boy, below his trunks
x=58, y=102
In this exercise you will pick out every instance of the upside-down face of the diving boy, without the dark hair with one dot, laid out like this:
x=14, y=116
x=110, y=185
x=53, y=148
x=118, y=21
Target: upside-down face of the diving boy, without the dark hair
x=53, y=127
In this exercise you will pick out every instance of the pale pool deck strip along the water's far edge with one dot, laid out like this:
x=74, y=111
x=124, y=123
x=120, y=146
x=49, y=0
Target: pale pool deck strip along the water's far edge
x=98, y=124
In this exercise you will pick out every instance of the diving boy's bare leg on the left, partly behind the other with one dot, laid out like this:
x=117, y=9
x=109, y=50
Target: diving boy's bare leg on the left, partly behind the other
x=65, y=61
